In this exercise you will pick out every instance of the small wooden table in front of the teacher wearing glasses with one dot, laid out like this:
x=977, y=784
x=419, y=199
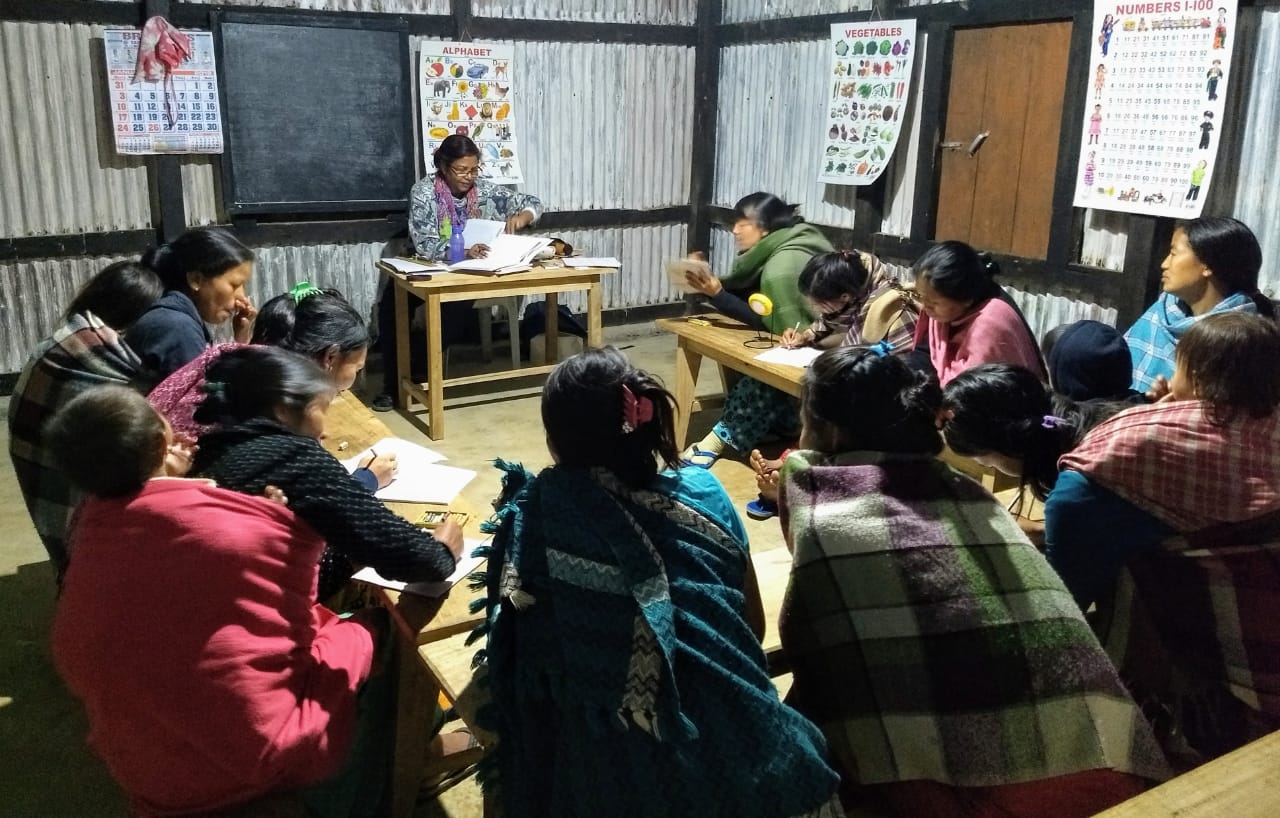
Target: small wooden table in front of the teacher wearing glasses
x=444, y=287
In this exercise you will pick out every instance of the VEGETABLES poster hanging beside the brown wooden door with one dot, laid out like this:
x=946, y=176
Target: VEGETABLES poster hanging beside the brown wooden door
x=871, y=84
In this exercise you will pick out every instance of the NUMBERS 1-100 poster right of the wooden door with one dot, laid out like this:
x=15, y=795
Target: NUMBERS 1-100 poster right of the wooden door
x=1156, y=106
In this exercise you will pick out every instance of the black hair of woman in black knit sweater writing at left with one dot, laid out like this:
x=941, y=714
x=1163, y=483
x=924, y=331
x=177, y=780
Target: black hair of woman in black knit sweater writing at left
x=255, y=382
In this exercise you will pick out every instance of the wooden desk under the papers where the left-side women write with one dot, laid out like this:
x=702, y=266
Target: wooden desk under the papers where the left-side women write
x=353, y=428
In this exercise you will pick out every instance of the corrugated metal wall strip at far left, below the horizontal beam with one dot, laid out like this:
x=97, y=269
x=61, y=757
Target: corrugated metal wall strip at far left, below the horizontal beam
x=33, y=298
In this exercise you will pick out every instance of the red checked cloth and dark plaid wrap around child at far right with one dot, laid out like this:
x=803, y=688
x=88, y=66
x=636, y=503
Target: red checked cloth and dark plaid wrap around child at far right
x=1194, y=624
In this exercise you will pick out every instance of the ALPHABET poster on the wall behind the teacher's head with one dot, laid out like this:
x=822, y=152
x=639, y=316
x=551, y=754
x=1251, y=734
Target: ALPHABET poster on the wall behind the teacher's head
x=467, y=88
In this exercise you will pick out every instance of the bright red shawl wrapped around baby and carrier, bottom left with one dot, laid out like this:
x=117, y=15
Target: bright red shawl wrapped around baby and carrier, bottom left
x=190, y=629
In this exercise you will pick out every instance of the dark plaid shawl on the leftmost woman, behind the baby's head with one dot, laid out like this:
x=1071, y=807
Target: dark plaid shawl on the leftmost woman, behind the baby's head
x=83, y=354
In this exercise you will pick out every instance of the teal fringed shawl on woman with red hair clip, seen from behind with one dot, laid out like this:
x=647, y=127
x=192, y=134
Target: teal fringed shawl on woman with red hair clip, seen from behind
x=625, y=680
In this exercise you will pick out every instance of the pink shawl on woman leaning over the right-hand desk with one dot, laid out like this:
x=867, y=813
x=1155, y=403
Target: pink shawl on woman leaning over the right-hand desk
x=994, y=333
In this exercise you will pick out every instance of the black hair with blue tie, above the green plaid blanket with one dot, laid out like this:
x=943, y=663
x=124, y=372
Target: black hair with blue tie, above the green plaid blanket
x=872, y=403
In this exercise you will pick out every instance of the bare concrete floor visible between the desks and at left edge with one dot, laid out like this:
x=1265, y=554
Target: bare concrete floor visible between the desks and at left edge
x=48, y=769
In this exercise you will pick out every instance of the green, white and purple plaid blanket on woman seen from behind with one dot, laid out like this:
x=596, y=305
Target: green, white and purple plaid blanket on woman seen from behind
x=962, y=657
